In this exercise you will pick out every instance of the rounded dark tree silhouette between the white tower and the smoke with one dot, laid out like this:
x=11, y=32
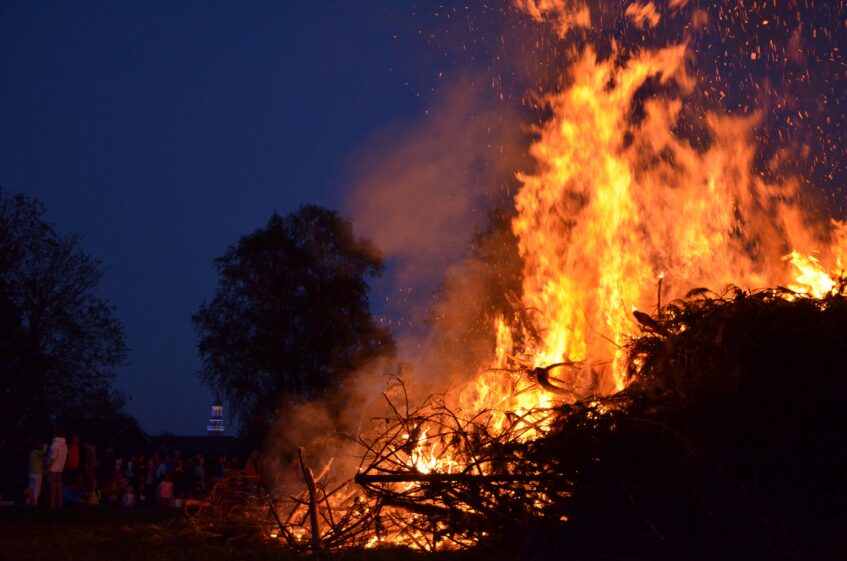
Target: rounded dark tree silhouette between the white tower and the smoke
x=290, y=318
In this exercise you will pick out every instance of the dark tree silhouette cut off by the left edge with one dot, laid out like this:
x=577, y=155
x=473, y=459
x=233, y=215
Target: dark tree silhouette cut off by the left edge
x=59, y=344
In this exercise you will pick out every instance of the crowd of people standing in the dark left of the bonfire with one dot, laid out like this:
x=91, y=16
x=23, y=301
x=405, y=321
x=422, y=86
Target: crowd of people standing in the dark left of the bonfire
x=74, y=472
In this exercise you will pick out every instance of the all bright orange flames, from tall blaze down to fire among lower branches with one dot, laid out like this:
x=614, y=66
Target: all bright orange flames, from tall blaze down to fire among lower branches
x=622, y=214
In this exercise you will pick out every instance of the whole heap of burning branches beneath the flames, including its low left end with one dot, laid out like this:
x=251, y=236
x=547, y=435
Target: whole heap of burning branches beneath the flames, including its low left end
x=433, y=477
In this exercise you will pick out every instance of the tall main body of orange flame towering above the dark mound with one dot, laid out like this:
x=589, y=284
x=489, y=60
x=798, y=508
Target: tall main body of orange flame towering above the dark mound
x=616, y=200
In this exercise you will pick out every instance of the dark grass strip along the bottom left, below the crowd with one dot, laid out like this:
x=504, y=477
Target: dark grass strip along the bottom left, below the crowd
x=101, y=534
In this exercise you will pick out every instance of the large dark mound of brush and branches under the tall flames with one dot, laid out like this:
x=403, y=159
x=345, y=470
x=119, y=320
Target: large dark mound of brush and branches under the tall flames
x=729, y=440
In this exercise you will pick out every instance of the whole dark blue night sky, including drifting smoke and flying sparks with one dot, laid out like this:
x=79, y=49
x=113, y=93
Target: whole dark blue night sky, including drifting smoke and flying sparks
x=161, y=132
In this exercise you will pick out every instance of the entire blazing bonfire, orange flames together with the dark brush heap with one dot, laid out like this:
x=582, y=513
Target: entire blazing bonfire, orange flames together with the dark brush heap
x=611, y=343
